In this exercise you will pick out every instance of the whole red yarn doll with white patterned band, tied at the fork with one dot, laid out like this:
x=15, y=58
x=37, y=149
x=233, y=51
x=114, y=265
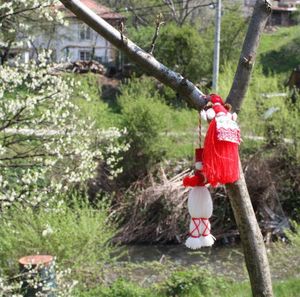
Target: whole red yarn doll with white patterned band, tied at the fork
x=220, y=155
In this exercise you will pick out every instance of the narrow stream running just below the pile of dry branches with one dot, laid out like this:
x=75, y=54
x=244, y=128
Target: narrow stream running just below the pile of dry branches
x=225, y=261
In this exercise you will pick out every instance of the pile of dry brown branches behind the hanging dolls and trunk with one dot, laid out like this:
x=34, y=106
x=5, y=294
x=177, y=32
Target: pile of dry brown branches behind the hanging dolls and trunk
x=155, y=208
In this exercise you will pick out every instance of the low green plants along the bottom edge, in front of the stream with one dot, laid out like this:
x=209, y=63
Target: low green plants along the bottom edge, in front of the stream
x=187, y=282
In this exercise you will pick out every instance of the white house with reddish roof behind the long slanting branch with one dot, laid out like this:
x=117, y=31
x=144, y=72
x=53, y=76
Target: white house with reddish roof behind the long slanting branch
x=76, y=41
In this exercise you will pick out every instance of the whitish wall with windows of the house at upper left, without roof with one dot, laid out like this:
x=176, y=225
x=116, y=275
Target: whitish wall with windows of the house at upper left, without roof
x=66, y=43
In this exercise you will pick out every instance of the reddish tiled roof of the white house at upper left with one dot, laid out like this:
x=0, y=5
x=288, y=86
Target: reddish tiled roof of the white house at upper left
x=99, y=9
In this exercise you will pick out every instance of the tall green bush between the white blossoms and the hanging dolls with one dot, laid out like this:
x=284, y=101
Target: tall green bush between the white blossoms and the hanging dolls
x=145, y=118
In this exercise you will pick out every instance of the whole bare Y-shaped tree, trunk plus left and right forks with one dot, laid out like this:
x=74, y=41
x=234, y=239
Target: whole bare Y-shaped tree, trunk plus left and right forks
x=252, y=240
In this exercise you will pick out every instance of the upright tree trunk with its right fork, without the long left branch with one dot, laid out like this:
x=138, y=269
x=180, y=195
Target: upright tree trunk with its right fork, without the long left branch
x=252, y=240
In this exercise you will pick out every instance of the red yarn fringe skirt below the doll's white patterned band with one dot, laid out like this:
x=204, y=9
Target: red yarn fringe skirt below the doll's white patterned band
x=220, y=158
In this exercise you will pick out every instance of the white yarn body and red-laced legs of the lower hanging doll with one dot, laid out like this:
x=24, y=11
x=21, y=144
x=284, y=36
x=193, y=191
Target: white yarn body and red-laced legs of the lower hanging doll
x=200, y=208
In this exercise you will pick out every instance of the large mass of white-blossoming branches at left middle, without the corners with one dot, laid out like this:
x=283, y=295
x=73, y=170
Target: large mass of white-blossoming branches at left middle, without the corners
x=44, y=147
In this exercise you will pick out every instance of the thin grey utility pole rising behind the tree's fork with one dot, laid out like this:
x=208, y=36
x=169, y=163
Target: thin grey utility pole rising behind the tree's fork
x=217, y=47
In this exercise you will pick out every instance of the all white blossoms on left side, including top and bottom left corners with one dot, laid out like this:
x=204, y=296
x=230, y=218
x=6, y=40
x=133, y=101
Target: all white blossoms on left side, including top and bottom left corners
x=45, y=149
